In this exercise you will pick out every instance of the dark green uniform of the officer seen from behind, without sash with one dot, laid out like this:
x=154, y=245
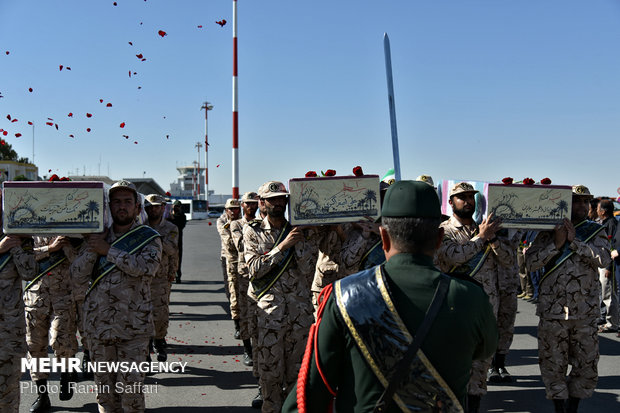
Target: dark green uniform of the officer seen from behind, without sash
x=465, y=329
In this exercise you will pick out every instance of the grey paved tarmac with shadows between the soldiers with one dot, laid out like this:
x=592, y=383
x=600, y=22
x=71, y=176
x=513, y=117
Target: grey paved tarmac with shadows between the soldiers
x=201, y=334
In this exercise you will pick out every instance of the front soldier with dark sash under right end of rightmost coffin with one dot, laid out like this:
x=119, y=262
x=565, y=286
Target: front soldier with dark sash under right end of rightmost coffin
x=568, y=304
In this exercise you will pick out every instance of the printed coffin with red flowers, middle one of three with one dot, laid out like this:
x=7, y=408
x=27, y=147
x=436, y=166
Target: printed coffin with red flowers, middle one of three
x=334, y=199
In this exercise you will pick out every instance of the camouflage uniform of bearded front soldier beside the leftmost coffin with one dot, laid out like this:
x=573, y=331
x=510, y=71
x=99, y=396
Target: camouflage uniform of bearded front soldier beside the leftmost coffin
x=119, y=322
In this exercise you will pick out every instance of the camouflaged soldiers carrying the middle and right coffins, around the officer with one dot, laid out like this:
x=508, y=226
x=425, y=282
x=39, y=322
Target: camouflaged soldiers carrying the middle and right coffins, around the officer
x=275, y=273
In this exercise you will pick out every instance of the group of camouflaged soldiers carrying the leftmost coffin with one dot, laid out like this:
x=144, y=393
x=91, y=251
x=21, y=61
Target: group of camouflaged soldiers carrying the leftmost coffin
x=112, y=287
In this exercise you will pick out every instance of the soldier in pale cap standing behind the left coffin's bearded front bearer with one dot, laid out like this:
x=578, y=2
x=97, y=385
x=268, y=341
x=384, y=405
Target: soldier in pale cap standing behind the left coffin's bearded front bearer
x=162, y=282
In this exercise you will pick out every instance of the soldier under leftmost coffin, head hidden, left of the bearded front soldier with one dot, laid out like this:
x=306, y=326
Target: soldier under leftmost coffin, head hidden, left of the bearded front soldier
x=50, y=306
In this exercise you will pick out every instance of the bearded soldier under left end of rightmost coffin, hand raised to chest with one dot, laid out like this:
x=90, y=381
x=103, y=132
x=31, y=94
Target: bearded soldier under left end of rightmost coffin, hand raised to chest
x=473, y=250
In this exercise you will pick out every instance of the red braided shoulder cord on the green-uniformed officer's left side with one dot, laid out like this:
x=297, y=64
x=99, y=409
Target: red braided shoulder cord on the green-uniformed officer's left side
x=312, y=344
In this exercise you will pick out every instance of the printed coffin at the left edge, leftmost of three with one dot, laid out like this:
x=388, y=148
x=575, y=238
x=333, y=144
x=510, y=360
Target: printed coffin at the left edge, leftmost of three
x=61, y=207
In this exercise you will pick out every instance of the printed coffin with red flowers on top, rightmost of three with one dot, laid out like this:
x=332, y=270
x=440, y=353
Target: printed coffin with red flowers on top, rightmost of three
x=529, y=206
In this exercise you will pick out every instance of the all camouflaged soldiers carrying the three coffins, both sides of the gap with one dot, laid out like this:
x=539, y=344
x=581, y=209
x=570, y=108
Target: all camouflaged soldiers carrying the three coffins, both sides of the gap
x=275, y=277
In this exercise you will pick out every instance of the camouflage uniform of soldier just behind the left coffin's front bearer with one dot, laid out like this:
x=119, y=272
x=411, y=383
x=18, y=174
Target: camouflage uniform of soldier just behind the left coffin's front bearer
x=161, y=283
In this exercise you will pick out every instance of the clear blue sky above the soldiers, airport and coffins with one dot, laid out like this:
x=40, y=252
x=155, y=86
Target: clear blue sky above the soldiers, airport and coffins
x=484, y=89
